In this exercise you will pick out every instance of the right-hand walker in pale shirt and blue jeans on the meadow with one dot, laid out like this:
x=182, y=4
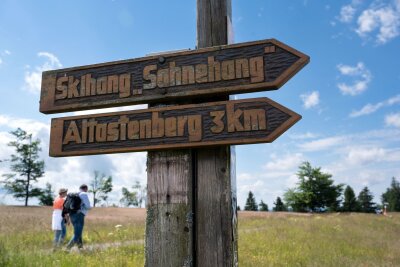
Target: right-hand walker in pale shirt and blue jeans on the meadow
x=78, y=217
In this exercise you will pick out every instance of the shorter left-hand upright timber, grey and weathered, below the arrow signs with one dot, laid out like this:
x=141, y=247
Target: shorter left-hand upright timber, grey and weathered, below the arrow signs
x=169, y=222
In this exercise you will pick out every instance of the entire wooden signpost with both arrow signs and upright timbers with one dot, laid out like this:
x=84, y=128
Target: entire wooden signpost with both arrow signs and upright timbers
x=191, y=186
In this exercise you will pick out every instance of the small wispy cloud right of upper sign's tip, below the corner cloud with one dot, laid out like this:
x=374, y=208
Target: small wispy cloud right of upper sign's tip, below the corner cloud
x=361, y=78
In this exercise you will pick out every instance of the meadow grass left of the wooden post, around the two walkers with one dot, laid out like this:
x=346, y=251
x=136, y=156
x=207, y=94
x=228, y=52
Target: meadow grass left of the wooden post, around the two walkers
x=26, y=238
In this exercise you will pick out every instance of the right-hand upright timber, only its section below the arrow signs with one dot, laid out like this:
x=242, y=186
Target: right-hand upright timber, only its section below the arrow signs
x=216, y=220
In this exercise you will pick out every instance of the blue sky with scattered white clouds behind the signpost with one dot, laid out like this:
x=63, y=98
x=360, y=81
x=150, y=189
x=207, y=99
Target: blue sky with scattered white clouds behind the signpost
x=348, y=95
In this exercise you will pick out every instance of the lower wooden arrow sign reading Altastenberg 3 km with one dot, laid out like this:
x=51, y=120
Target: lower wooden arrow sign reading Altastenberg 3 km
x=250, y=121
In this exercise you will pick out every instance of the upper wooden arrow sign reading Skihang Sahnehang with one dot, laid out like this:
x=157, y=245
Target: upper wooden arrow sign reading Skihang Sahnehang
x=222, y=70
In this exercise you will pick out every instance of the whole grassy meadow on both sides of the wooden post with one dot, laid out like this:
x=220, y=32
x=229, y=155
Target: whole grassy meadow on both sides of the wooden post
x=114, y=237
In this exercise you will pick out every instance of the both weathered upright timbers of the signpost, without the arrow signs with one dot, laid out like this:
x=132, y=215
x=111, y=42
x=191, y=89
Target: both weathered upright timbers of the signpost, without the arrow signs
x=191, y=210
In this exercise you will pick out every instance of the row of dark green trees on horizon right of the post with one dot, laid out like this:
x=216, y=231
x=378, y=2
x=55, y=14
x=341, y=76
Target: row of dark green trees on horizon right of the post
x=315, y=191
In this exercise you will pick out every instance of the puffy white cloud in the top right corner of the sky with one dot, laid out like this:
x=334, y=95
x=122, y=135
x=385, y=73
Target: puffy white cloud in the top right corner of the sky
x=384, y=21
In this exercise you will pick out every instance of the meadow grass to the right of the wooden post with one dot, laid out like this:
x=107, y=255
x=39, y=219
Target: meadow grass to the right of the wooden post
x=320, y=240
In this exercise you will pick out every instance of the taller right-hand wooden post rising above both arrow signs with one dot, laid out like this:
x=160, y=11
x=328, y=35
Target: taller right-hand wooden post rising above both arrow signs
x=215, y=205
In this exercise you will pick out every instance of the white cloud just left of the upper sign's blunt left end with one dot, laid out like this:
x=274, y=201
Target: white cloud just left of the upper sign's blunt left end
x=33, y=79
